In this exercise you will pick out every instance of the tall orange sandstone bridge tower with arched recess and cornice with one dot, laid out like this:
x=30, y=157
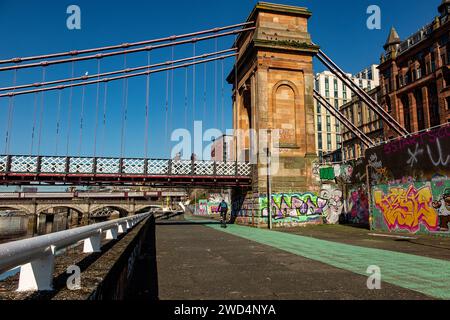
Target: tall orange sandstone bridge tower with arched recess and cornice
x=273, y=89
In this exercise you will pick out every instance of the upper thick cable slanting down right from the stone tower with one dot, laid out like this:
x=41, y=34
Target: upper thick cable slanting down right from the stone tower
x=372, y=104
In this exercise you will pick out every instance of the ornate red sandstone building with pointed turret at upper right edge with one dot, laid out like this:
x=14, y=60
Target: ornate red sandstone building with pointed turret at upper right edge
x=415, y=75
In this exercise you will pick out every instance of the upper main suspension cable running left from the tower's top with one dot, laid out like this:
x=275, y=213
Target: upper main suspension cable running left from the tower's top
x=124, y=45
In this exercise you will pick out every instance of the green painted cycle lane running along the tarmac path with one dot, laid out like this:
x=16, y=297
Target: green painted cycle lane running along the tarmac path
x=421, y=274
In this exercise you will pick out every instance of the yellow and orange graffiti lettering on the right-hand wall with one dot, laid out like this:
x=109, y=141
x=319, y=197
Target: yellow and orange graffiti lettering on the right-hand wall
x=408, y=208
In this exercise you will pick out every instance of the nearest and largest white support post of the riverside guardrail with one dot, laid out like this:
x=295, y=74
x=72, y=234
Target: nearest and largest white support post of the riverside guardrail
x=38, y=274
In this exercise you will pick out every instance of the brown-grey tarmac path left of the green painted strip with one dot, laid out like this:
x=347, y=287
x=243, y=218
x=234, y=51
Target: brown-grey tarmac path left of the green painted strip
x=199, y=261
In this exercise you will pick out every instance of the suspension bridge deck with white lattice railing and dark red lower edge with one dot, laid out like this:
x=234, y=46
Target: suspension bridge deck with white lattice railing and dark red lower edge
x=78, y=170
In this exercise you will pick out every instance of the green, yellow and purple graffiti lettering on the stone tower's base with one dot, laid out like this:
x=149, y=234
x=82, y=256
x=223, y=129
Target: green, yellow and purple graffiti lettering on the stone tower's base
x=307, y=206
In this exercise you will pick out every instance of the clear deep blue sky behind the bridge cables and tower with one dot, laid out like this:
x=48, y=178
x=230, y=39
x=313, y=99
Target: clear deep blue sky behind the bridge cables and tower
x=38, y=27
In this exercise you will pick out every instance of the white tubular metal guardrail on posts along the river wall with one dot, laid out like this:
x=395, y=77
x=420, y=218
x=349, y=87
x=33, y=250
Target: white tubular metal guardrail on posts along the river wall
x=36, y=256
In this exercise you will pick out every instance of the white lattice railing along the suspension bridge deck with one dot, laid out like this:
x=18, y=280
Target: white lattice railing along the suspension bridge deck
x=117, y=168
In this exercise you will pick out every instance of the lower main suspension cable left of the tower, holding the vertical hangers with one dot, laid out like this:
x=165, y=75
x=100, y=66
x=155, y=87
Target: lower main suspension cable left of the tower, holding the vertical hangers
x=127, y=75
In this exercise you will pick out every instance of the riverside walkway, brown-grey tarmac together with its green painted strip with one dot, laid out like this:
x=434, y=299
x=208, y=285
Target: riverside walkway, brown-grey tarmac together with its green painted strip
x=199, y=261
